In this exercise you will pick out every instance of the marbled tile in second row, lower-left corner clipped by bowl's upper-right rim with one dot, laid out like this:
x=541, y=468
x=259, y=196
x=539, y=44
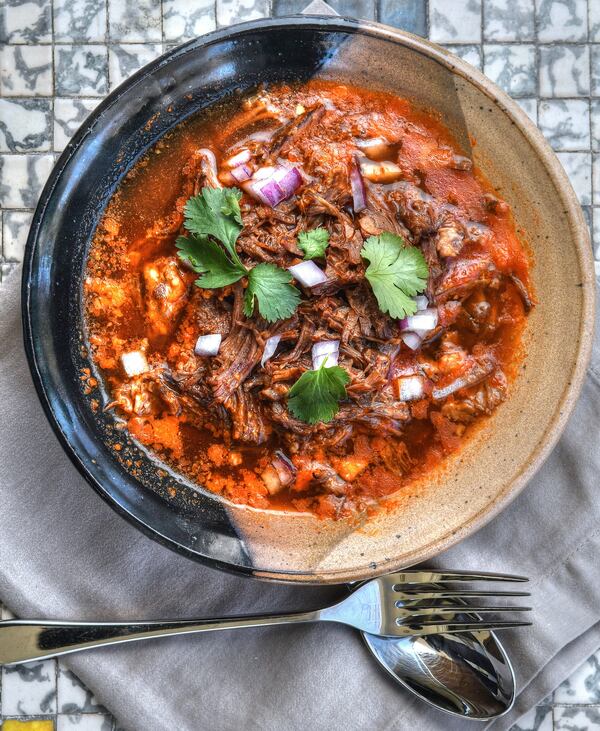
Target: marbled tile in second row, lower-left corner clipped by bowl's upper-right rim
x=511, y=67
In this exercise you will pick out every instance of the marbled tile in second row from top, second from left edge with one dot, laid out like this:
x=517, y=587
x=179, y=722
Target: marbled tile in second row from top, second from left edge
x=81, y=70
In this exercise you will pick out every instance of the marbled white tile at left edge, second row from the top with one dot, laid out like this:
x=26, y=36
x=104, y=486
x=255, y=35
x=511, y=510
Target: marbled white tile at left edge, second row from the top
x=26, y=70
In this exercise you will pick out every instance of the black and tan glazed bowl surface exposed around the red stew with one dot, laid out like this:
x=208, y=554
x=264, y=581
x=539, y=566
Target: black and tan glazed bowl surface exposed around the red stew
x=496, y=462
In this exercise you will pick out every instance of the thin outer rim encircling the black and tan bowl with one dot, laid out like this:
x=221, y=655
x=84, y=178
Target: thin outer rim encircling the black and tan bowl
x=41, y=370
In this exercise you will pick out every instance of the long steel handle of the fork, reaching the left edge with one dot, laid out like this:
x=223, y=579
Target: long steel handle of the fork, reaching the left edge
x=22, y=640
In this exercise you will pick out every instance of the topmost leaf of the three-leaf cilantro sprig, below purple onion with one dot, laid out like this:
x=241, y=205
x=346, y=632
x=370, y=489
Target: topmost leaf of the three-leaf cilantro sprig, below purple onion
x=216, y=212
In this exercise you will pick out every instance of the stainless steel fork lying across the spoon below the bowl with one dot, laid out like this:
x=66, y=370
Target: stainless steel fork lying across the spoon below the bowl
x=401, y=604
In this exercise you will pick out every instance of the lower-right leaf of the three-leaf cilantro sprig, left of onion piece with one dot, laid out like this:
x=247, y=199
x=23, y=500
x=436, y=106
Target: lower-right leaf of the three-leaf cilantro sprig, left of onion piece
x=270, y=285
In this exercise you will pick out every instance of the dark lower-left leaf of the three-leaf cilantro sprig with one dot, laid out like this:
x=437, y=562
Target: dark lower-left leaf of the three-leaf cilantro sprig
x=208, y=259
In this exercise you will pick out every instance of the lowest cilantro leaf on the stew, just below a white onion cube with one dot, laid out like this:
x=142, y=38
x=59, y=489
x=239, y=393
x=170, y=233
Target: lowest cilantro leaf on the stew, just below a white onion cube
x=316, y=394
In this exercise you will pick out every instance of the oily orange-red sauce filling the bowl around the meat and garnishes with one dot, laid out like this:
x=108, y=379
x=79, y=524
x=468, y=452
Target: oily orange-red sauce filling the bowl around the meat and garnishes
x=481, y=315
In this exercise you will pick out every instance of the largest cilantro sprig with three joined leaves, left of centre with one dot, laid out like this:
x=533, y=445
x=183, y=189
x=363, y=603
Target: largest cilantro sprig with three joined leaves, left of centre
x=214, y=222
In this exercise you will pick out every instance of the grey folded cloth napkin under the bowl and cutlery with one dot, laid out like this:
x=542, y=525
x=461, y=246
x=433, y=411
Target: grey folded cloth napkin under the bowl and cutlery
x=65, y=554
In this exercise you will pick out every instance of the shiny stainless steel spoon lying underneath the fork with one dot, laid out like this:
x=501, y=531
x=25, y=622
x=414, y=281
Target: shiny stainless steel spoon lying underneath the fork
x=467, y=675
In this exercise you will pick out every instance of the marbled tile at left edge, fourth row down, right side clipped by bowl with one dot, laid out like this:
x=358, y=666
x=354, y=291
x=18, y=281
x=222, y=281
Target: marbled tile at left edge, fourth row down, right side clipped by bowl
x=22, y=178
